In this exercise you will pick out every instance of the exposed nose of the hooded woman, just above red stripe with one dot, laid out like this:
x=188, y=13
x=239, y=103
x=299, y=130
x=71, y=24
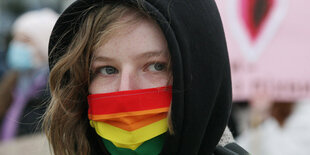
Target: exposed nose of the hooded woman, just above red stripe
x=128, y=81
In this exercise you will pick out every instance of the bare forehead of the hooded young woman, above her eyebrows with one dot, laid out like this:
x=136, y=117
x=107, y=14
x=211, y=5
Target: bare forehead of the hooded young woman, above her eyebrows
x=141, y=36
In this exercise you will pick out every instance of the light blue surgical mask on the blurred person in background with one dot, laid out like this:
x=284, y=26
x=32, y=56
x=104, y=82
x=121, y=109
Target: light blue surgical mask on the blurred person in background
x=19, y=56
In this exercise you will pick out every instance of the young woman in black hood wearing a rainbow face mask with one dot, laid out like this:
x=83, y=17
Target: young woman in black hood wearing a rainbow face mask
x=139, y=77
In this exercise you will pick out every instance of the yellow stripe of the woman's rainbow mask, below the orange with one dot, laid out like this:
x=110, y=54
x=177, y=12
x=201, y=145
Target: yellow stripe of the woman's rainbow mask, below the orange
x=130, y=139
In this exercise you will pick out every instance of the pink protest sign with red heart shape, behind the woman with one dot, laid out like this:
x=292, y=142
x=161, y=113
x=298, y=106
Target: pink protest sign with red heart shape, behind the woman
x=269, y=47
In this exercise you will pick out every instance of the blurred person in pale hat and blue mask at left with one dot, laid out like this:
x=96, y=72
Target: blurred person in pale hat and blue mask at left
x=23, y=87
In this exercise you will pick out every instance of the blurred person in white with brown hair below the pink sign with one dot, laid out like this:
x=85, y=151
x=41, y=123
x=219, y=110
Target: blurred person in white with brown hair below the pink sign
x=286, y=125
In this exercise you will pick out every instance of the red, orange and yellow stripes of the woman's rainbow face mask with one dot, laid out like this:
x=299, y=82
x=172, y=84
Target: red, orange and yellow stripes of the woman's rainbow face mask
x=130, y=118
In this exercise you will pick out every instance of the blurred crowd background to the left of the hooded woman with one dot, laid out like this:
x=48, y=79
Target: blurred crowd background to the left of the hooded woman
x=25, y=27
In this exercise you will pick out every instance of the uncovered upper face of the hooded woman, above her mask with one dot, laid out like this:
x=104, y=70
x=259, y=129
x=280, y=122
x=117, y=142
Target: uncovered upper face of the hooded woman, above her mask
x=136, y=57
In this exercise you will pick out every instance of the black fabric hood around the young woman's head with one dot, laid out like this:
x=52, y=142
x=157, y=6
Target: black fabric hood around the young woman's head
x=201, y=73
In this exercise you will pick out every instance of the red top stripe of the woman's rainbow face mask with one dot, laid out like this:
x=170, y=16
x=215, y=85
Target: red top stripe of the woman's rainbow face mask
x=129, y=101
